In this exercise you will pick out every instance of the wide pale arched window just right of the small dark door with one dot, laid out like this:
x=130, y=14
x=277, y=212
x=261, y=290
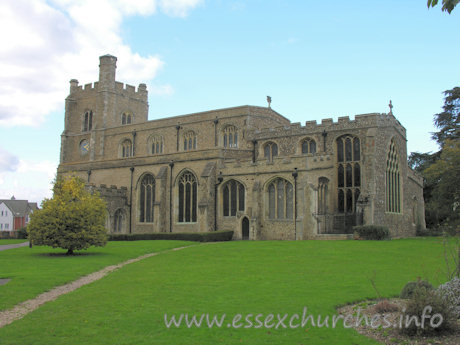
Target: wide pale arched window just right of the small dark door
x=280, y=199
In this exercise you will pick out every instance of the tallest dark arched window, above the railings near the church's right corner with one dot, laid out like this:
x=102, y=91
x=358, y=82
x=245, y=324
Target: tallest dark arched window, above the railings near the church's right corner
x=348, y=173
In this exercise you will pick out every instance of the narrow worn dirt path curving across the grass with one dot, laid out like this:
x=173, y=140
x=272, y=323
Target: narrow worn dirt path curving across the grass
x=24, y=308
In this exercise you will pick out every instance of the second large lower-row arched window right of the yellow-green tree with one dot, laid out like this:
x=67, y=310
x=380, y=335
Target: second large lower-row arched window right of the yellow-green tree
x=187, y=197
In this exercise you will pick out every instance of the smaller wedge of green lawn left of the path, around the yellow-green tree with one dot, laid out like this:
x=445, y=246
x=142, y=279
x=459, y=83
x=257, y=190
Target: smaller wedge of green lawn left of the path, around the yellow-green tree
x=38, y=269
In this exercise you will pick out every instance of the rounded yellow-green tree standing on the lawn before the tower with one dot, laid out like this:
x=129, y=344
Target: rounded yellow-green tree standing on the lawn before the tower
x=73, y=219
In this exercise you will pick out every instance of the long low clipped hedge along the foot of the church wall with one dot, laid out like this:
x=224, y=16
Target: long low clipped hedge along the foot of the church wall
x=188, y=236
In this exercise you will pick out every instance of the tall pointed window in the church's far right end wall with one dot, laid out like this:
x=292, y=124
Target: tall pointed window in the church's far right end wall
x=392, y=181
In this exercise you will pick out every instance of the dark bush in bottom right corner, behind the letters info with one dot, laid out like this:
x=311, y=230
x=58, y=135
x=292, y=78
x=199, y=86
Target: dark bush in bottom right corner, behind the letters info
x=421, y=299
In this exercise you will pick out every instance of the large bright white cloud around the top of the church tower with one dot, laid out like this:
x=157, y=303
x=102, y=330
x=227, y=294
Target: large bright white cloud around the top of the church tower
x=46, y=43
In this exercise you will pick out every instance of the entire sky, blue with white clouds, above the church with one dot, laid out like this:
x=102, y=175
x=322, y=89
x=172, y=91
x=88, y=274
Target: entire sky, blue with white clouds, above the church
x=315, y=59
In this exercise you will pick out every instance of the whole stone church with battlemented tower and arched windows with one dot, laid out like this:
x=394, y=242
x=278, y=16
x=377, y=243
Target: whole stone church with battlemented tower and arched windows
x=246, y=168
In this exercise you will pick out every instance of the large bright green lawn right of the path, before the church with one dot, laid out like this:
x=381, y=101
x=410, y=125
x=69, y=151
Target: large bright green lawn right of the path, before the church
x=128, y=306
